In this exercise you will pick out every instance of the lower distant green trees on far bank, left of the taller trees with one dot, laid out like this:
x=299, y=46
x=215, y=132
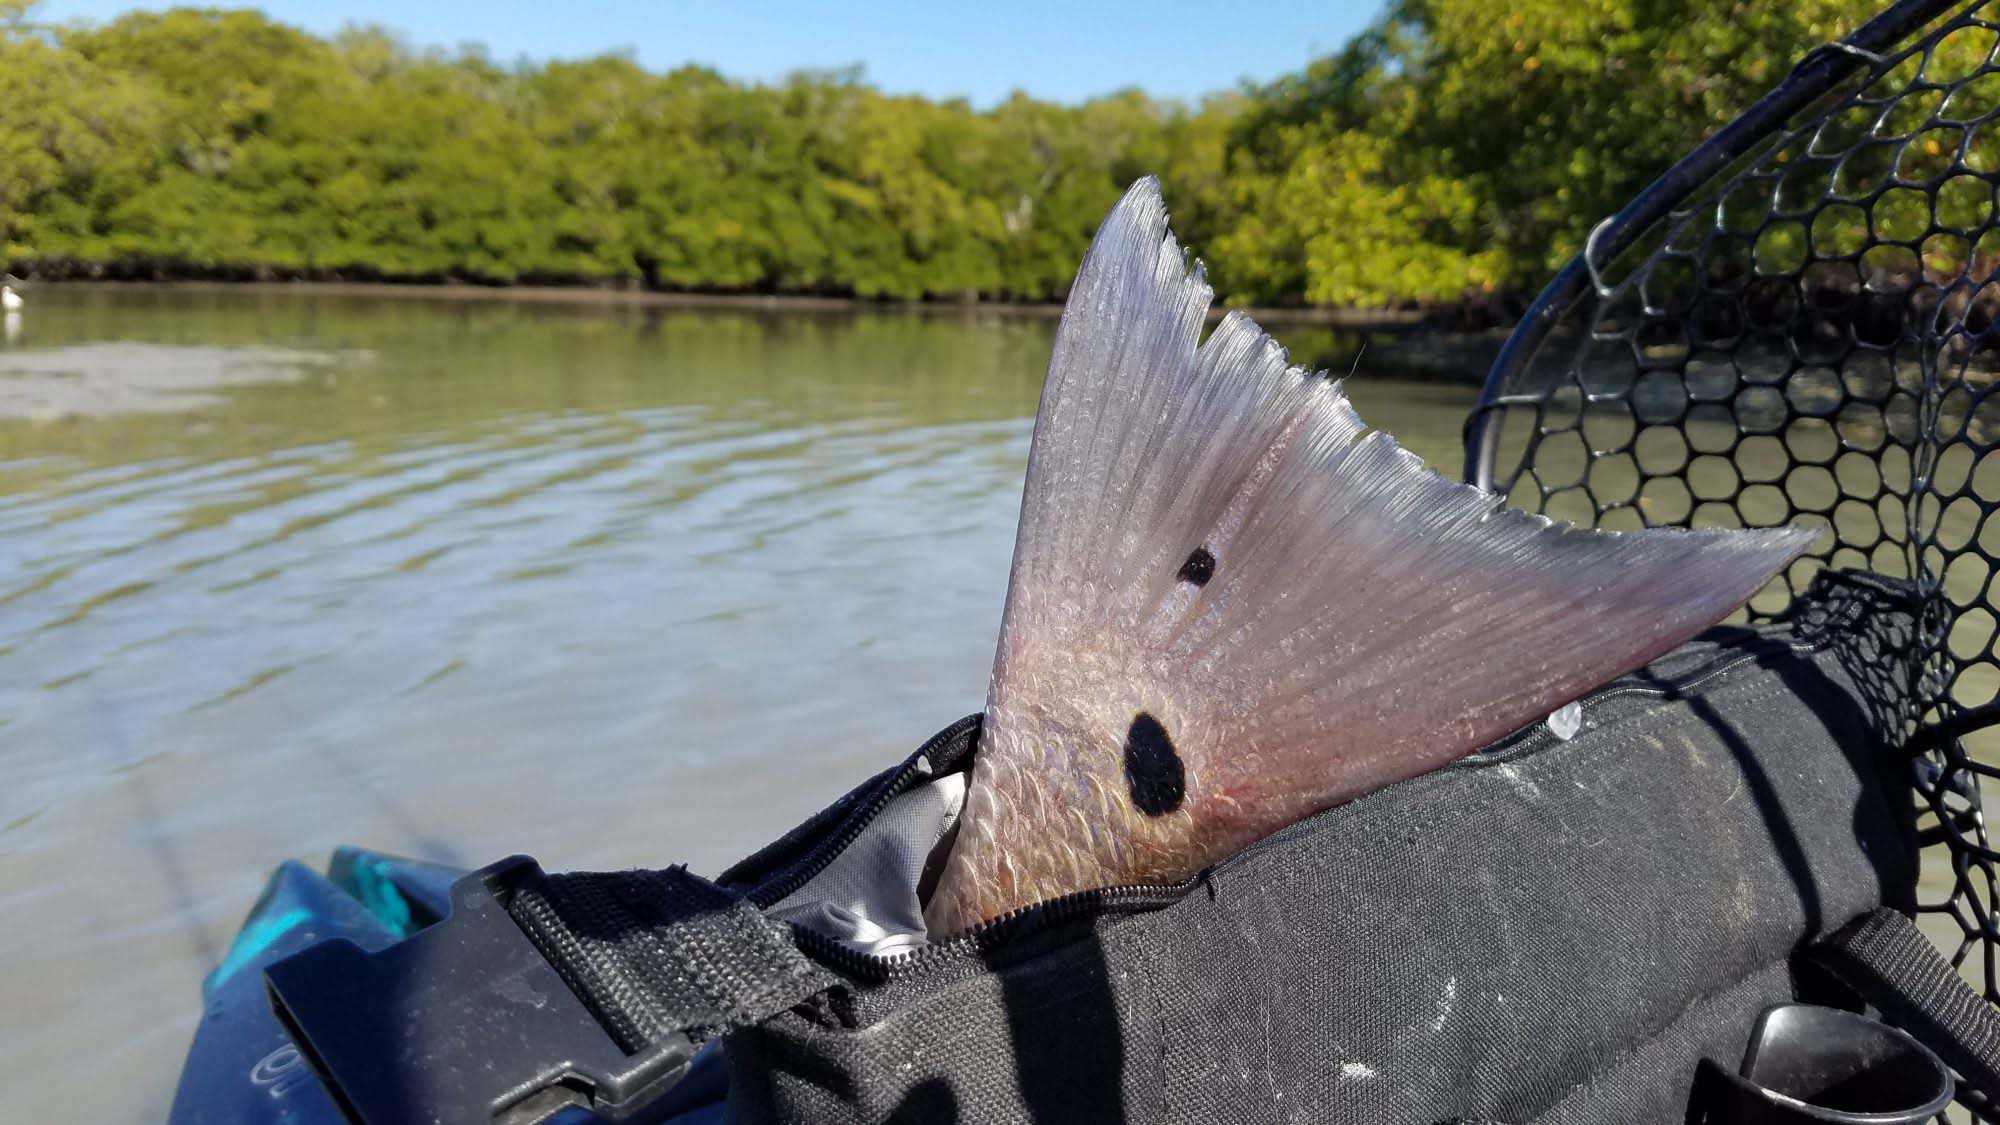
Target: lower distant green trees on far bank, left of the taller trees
x=221, y=143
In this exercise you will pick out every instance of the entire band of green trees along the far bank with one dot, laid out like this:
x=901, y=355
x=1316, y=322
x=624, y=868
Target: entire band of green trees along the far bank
x=1457, y=151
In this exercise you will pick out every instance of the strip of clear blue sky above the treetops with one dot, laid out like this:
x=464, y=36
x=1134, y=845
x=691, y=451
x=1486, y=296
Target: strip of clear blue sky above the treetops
x=1051, y=49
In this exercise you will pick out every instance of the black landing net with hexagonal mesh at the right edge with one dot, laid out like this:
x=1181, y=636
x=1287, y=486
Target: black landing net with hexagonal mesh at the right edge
x=1801, y=323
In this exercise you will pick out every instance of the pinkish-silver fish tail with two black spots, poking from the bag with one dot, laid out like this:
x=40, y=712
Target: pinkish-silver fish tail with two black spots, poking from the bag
x=1233, y=606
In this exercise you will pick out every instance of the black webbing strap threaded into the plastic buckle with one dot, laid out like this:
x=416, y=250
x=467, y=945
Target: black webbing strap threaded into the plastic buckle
x=665, y=952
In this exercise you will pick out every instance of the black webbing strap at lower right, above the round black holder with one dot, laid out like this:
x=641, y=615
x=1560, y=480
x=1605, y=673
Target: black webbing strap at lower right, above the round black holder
x=1897, y=970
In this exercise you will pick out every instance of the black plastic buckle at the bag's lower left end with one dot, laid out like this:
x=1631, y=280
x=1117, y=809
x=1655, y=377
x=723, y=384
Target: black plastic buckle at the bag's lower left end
x=465, y=1022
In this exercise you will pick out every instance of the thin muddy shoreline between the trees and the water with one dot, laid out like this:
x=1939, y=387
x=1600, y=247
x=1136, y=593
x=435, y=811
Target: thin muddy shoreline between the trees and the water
x=605, y=297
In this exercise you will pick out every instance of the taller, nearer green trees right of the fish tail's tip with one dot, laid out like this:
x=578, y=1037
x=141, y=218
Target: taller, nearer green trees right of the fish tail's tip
x=1465, y=149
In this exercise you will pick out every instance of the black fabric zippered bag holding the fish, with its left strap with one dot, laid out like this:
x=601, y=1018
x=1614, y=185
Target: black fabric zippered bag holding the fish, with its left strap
x=1557, y=930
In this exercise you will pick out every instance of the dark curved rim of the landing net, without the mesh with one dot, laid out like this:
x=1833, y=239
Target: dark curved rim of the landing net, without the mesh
x=1807, y=83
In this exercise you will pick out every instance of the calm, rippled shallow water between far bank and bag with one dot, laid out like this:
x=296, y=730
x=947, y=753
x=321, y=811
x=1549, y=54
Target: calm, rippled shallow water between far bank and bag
x=463, y=580
